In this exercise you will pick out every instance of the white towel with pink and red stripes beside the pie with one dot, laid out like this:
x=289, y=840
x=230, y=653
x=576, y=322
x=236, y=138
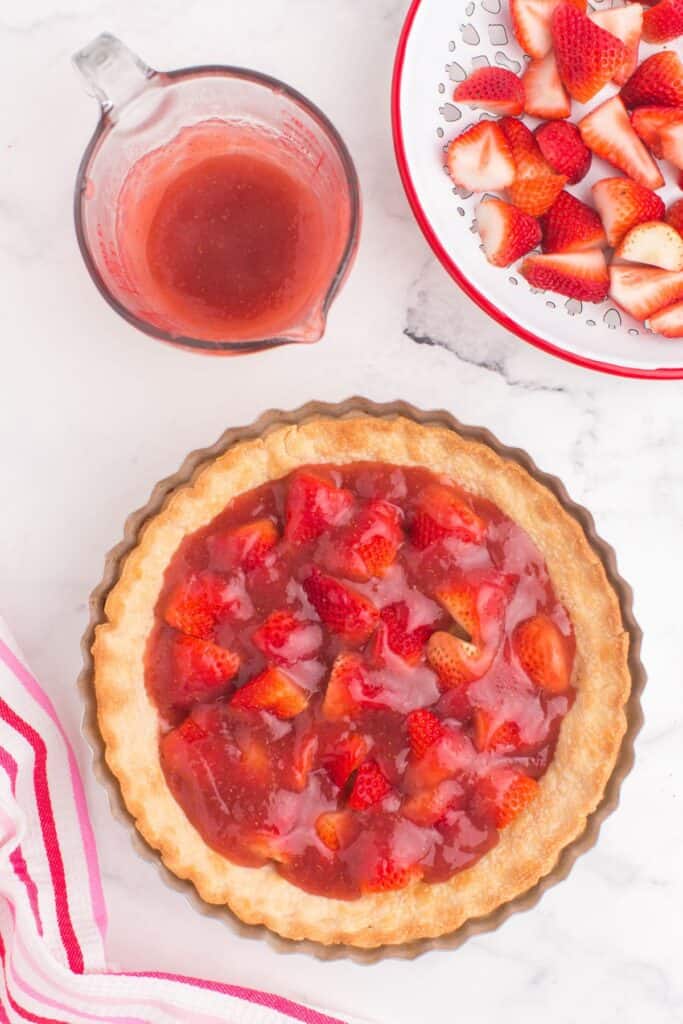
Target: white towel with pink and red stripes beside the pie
x=53, y=926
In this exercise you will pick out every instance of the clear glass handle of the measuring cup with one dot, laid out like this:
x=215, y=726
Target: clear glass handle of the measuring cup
x=114, y=75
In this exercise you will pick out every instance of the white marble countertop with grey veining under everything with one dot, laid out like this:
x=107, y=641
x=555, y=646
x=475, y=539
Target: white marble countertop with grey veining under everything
x=93, y=414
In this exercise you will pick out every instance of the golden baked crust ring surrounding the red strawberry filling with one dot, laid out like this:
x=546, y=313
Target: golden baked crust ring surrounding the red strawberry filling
x=571, y=790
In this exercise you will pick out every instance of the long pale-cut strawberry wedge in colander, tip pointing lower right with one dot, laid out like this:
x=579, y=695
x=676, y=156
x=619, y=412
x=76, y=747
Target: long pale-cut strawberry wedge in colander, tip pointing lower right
x=609, y=133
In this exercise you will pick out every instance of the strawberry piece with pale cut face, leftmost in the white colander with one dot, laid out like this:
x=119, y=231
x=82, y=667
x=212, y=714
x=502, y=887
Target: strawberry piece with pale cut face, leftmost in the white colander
x=480, y=159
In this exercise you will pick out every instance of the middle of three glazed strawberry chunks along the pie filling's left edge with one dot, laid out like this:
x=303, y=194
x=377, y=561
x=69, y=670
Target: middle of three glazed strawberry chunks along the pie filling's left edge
x=202, y=670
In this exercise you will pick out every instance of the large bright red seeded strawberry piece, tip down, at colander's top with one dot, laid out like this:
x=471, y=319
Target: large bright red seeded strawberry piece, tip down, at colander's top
x=587, y=56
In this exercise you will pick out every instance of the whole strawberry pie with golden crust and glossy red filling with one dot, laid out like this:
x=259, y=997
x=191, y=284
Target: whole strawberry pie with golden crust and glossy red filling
x=362, y=680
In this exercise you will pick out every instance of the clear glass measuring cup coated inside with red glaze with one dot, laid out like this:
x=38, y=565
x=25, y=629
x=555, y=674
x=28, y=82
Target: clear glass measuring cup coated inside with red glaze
x=154, y=127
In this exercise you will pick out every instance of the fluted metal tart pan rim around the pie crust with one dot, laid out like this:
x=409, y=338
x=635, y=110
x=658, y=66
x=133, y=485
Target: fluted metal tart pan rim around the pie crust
x=354, y=407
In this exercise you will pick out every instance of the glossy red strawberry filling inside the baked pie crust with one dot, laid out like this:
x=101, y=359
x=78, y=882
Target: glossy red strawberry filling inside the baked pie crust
x=343, y=797
